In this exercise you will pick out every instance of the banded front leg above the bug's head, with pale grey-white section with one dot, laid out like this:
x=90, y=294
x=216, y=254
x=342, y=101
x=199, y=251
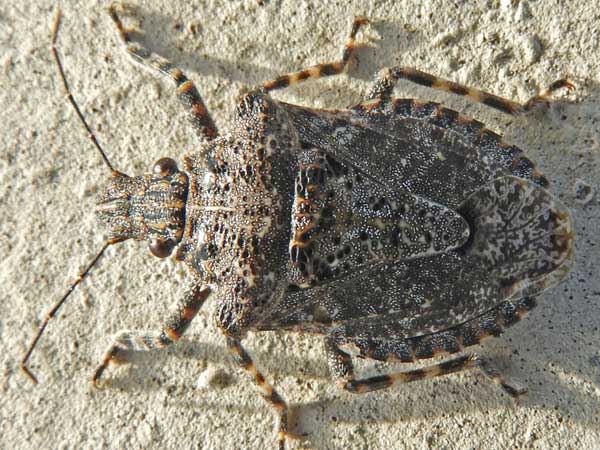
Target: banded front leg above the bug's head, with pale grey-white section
x=186, y=91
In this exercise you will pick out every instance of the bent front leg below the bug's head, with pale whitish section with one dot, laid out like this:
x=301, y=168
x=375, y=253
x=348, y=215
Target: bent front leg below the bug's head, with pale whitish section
x=172, y=330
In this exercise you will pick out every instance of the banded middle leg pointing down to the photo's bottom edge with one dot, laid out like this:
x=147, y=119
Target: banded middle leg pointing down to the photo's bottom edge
x=266, y=390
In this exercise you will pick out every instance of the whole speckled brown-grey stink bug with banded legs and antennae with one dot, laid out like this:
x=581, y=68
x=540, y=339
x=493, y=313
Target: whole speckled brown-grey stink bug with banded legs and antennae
x=395, y=229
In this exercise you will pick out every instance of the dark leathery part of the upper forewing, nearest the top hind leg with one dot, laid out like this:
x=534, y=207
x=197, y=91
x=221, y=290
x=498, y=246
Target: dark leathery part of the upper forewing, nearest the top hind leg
x=422, y=148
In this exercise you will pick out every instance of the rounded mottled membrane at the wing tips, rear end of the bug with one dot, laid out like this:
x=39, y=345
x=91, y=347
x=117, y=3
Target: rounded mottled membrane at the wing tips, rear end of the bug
x=521, y=234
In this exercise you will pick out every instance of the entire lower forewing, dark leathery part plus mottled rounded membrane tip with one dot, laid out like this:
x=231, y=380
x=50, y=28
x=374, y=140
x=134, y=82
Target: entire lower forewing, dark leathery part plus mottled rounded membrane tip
x=521, y=243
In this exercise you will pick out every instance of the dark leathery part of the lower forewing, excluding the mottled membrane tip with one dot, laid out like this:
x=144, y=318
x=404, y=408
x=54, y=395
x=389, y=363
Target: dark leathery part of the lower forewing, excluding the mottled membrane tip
x=392, y=299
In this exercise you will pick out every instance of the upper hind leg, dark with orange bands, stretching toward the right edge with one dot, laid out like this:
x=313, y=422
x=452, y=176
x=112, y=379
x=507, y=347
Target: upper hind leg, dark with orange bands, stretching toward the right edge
x=387, y=78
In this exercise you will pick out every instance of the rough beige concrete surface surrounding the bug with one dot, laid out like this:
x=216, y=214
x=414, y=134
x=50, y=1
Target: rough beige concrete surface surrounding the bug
x=191, y=396
